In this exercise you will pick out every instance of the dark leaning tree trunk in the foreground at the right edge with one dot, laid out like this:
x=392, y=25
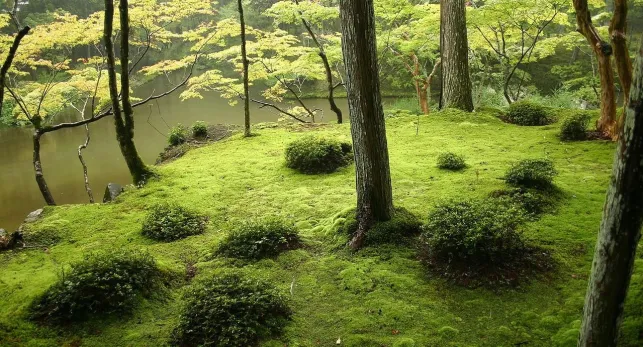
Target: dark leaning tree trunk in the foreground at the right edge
x=620, y=230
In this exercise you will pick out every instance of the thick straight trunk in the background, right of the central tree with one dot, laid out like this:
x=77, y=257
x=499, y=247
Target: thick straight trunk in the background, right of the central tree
x=456, y=82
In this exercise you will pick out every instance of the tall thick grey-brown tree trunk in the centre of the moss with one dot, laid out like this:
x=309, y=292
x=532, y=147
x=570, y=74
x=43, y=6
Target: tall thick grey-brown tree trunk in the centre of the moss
x=374, y=192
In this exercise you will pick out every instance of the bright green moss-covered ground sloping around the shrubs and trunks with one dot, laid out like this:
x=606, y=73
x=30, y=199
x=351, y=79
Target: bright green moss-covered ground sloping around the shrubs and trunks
x=378, y=297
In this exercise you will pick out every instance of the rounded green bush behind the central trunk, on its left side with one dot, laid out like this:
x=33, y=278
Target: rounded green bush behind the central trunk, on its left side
x=312, y=155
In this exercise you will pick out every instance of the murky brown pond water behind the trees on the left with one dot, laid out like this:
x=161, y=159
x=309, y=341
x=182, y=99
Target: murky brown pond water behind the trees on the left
x=19, y=193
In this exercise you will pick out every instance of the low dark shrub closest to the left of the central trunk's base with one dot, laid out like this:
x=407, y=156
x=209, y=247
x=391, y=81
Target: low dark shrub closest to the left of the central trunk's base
x=259, y=239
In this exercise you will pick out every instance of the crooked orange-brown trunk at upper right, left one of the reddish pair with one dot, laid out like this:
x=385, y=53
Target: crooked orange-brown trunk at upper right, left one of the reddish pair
x=603, y=51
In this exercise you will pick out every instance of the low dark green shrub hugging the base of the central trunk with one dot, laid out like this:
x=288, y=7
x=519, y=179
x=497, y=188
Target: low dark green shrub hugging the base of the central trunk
x=402, y=225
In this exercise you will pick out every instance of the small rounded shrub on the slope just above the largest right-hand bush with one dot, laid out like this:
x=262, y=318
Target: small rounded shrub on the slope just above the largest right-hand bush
x=533, y=173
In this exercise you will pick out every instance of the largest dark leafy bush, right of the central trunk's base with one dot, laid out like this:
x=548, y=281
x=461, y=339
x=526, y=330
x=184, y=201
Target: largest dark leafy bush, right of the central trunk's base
x=479, y=243
